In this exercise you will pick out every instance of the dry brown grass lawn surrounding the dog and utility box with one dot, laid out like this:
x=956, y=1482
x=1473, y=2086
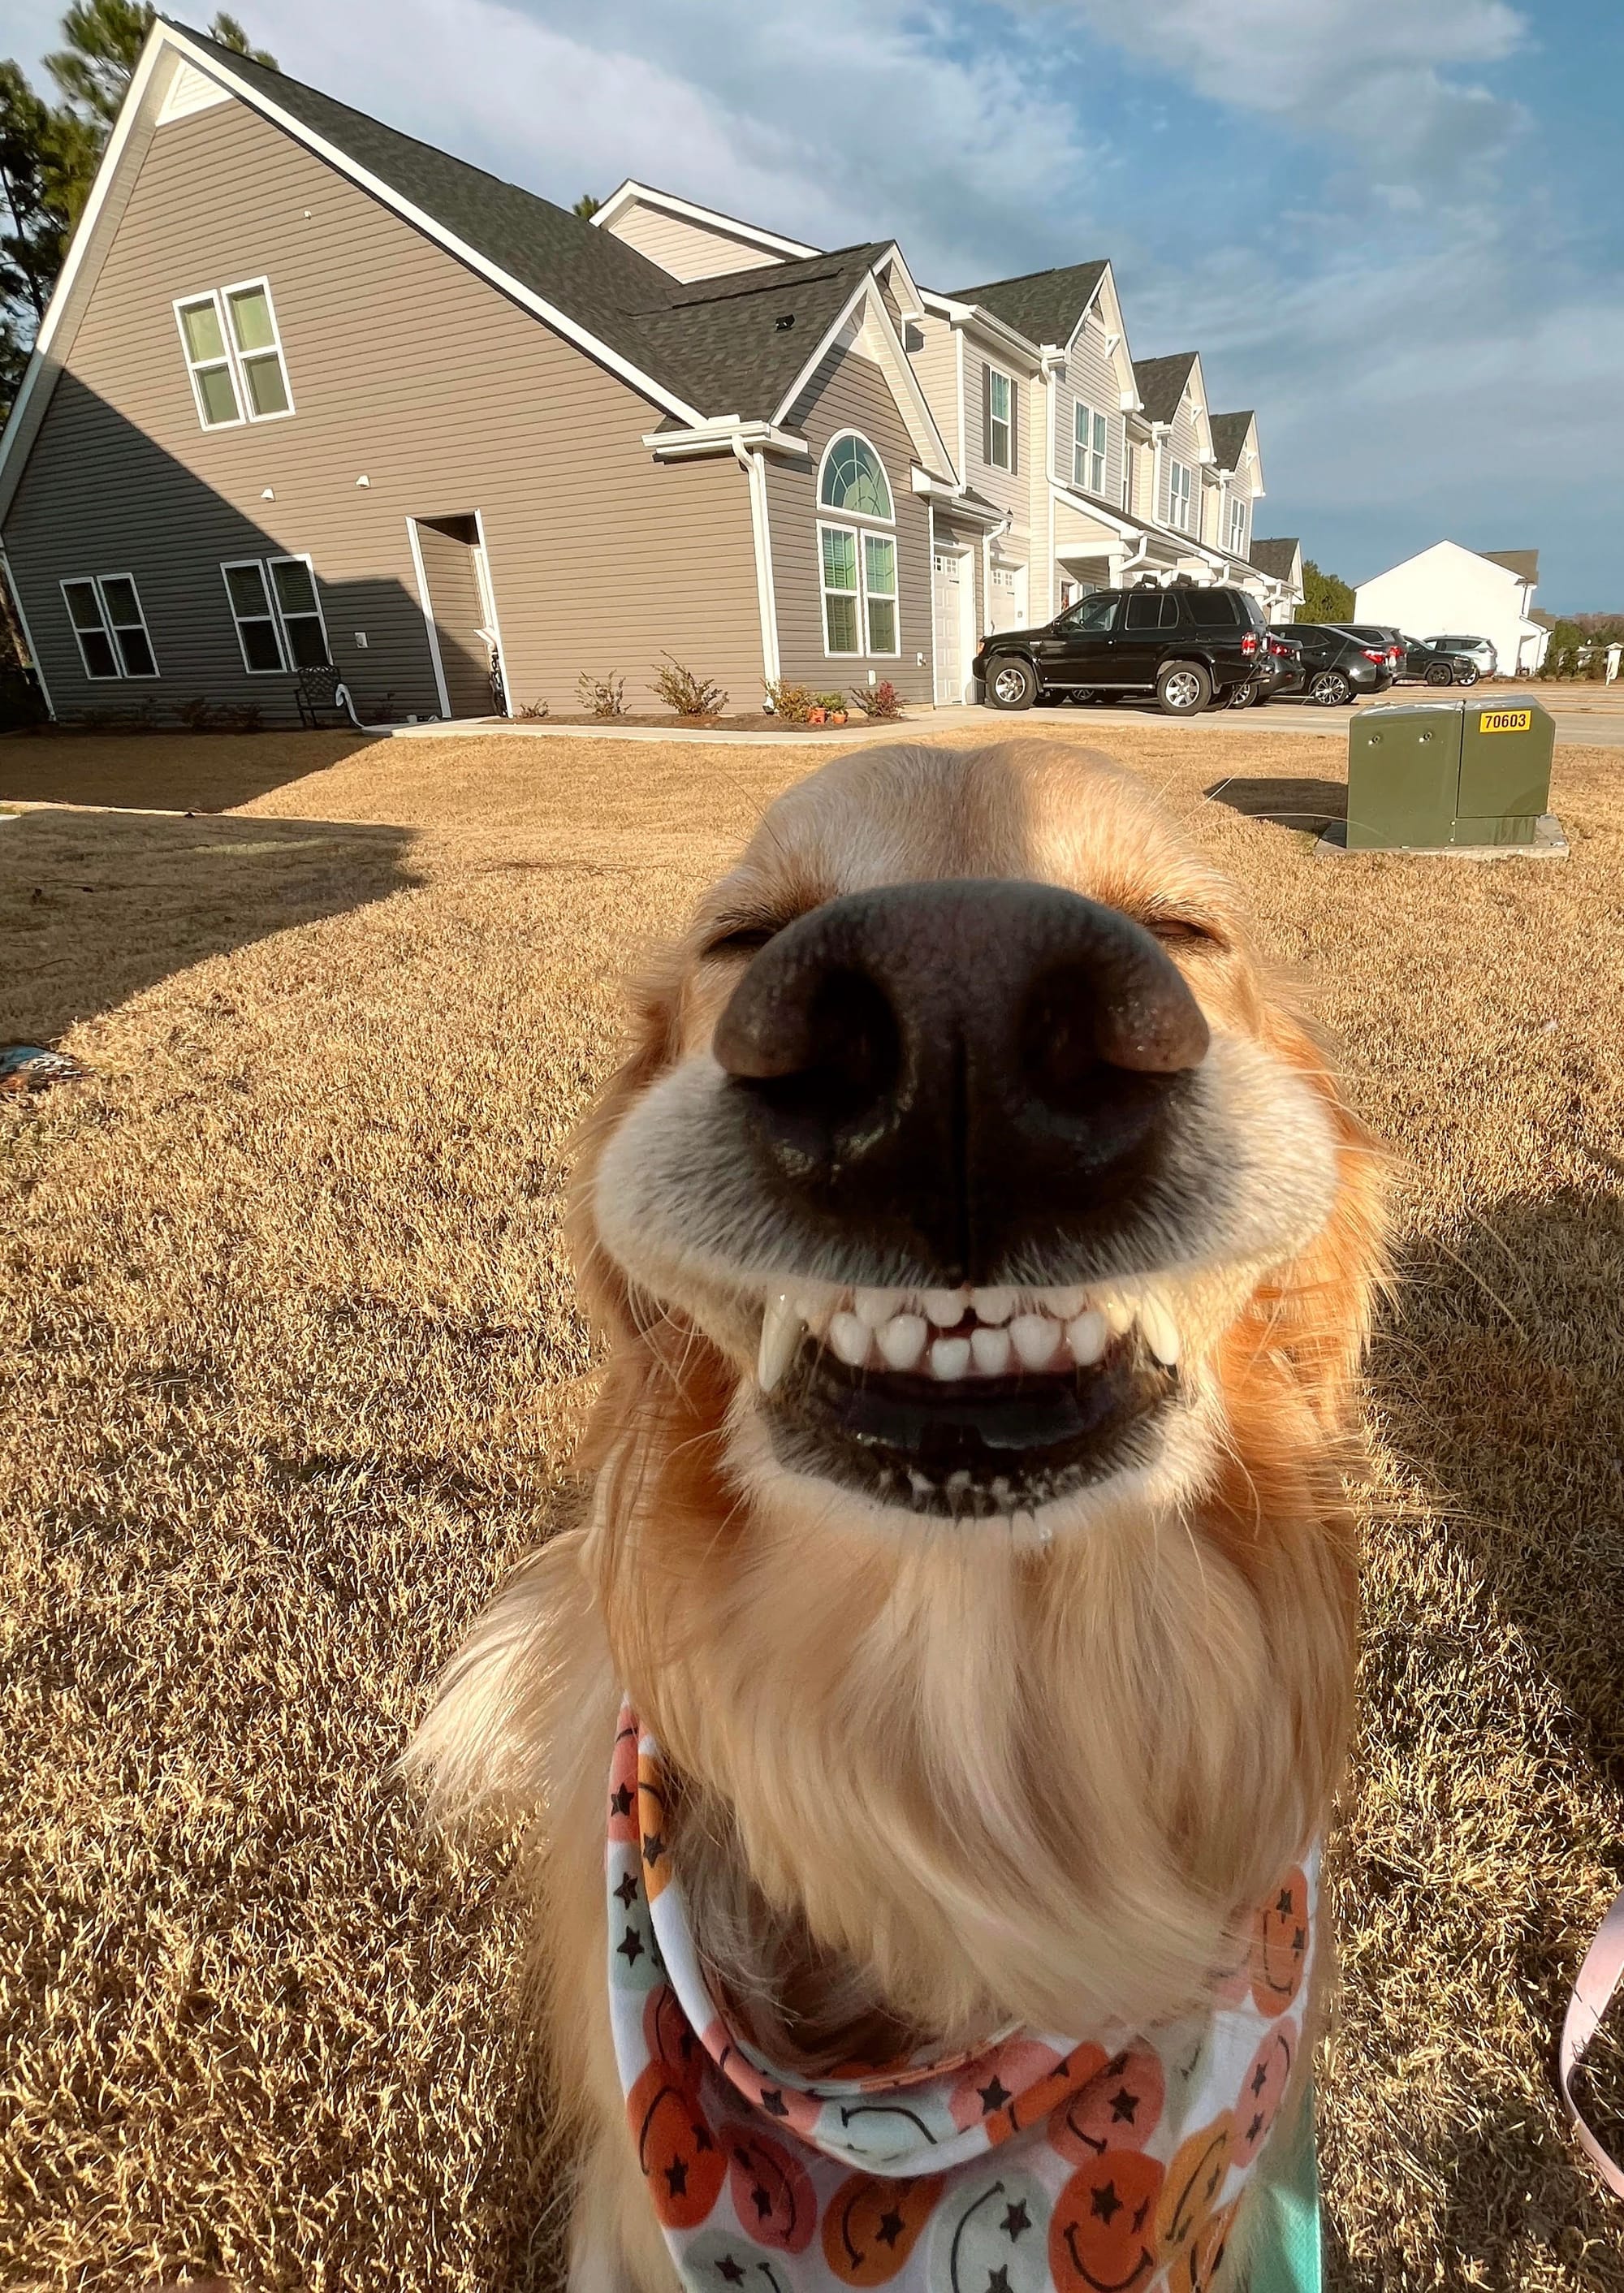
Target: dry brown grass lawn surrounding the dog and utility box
x=292, y=1377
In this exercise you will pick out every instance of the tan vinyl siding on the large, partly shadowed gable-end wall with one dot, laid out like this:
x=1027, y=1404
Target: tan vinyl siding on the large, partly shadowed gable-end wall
x=407, y=370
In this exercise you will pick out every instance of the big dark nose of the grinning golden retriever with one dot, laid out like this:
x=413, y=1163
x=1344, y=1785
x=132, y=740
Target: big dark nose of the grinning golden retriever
x=955, y=1077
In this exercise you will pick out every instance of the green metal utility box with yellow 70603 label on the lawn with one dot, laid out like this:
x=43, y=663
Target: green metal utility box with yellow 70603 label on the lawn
x=1428, y=776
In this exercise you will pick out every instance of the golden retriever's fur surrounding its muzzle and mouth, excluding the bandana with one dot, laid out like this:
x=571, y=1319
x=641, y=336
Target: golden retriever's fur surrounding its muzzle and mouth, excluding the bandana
x=937, y=1778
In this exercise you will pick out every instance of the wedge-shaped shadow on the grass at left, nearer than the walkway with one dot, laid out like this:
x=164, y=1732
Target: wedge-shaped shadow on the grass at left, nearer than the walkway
x=97, y=907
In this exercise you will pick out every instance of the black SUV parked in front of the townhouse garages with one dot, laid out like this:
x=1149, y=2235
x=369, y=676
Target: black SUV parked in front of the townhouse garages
x=1185, y=645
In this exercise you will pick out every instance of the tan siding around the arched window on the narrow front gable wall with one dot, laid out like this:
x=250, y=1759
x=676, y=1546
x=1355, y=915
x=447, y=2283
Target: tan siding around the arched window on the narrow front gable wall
x=848, y=393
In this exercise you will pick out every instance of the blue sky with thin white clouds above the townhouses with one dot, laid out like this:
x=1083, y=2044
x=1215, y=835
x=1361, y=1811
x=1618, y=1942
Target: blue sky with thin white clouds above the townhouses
x=1398, y=235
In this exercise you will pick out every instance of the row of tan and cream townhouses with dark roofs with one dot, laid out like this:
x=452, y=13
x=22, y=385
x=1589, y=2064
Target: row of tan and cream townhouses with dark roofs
x=313, y=393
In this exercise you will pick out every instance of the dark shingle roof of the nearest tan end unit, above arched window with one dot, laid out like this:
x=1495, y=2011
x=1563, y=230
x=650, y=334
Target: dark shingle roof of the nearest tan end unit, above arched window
x=712, y=343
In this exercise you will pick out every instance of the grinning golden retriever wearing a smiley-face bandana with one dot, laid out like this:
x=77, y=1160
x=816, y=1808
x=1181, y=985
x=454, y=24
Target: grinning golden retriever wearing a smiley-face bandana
x=932, y=1721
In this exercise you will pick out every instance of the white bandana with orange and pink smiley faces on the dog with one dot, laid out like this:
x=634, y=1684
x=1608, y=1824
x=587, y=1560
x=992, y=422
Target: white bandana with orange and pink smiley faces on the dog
x=1038, y=2166
